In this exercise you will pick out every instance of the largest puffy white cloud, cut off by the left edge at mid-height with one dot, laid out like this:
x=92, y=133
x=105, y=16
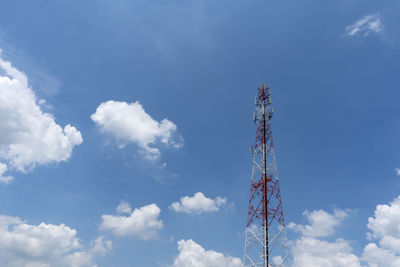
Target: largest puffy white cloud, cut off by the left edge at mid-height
x=29, y=136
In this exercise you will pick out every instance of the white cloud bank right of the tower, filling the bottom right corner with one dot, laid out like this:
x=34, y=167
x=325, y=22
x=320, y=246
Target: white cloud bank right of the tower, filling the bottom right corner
x=310, y=249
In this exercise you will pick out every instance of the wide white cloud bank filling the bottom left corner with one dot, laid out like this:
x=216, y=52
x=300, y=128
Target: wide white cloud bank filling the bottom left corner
x=22, y=244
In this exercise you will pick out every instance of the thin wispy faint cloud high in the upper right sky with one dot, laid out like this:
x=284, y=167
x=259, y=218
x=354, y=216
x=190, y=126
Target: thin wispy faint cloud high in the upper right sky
x=365, y=26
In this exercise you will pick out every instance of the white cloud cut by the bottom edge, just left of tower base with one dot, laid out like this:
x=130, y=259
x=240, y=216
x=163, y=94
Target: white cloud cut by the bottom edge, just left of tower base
x=192, y=254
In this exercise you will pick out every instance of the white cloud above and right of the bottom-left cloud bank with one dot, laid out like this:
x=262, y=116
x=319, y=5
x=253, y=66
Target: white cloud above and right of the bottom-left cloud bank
x=142, y=222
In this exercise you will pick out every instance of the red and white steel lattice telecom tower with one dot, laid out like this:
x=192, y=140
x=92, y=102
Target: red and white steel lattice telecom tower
x=265, y=244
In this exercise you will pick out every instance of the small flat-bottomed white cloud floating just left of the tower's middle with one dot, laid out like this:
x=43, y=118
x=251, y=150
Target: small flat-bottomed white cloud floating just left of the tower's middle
x=199, y=203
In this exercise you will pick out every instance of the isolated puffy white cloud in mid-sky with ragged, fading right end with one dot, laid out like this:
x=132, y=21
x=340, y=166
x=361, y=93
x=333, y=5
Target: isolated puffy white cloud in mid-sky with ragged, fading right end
x=130, y=123
